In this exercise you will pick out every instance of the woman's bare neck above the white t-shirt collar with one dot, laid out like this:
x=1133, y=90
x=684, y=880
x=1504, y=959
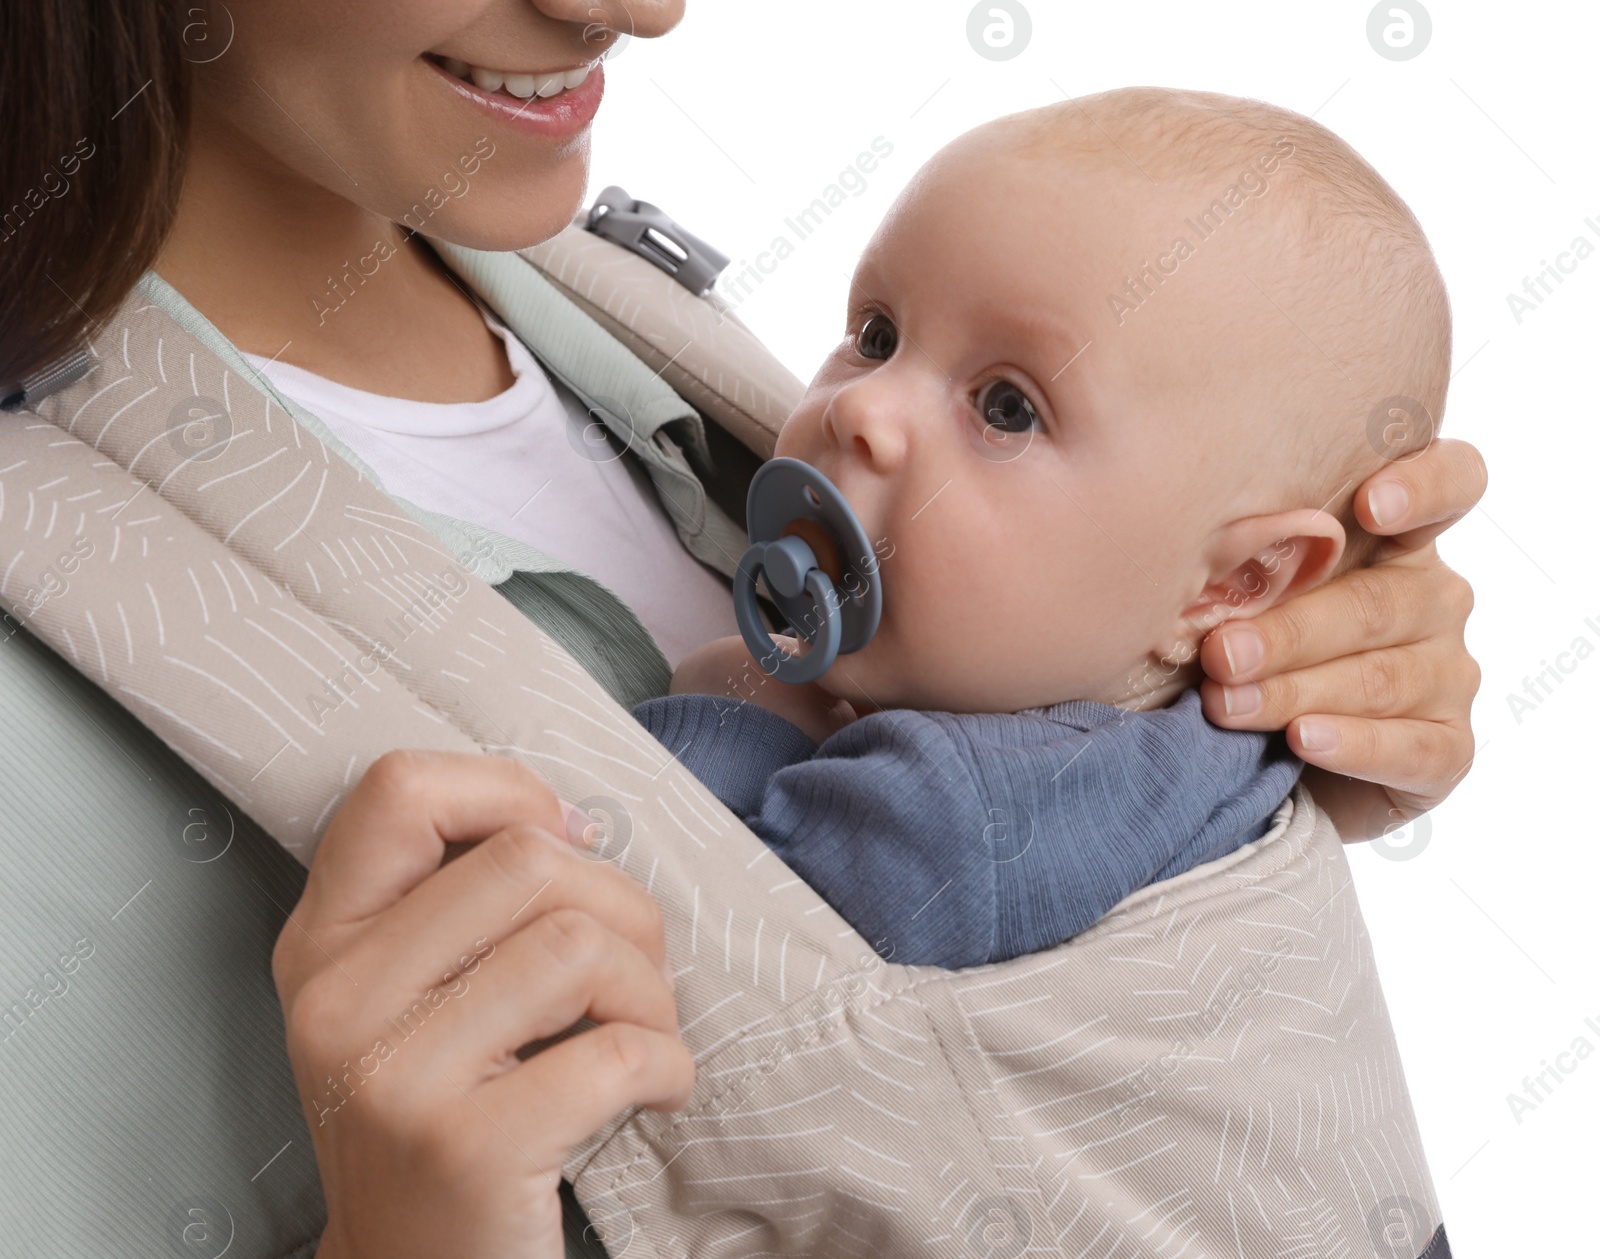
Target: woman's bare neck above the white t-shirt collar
x=297, y=273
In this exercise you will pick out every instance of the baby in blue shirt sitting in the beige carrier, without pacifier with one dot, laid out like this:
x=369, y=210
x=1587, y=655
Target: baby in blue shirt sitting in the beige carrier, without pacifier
x=1111, y=374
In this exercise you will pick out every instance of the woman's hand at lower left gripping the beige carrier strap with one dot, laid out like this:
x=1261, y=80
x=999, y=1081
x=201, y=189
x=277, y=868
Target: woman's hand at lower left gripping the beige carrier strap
x=409, y=986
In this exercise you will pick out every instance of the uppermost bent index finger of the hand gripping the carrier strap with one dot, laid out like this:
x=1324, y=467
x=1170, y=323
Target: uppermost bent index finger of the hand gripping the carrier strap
x=391, y=834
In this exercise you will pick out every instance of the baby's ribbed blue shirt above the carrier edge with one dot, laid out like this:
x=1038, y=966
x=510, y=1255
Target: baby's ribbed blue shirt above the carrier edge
x=961, y=839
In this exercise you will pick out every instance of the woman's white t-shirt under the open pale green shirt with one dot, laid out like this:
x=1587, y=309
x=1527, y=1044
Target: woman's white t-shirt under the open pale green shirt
x=519, y=465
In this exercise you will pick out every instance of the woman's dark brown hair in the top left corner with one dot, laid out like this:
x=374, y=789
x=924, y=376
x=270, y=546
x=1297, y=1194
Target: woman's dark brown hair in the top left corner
x=94, y=127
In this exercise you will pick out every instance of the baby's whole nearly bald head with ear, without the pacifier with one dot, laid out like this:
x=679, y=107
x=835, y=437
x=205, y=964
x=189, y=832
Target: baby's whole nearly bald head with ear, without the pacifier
x=1113, y=374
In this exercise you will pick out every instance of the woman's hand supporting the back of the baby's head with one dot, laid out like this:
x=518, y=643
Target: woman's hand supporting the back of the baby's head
x=1370, y=673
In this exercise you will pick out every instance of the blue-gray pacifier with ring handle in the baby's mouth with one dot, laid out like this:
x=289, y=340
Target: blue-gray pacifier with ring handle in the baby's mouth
x=820, y=569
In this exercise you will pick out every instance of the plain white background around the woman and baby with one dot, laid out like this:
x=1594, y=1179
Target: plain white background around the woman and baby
x=1487, y=937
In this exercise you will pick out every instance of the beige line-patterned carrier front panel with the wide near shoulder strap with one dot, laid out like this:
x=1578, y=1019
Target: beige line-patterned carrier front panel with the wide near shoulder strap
x=1210, y=1073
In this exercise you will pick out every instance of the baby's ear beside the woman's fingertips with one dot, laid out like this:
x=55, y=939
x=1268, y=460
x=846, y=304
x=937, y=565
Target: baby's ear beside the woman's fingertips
x=1262, y=561
